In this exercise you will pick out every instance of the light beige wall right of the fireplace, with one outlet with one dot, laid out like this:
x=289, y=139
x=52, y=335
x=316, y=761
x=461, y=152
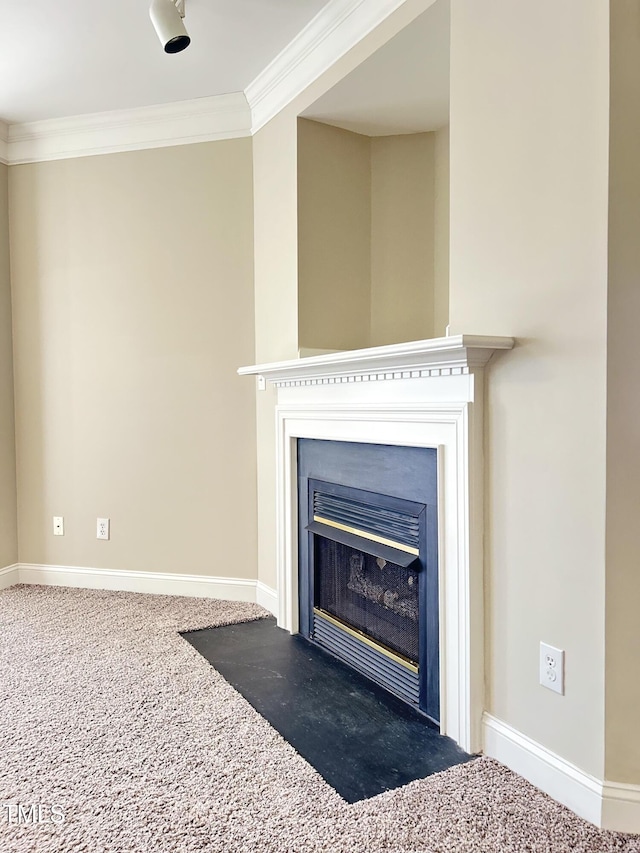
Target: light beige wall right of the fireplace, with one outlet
x=529, y=259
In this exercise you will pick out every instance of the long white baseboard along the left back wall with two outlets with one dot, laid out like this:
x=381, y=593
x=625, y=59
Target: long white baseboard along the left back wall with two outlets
x=161, y=583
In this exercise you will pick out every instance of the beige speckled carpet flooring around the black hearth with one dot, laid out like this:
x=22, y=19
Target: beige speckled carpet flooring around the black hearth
x=109, y=715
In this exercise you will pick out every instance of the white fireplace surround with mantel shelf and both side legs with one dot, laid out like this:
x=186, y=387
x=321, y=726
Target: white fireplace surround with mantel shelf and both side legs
x=424, y=394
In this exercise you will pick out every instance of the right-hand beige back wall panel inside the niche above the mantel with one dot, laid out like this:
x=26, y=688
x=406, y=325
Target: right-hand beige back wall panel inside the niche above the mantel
x=402, y=238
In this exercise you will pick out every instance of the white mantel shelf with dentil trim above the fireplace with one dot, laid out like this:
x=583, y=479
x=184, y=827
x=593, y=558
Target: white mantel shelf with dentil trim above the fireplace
x=433, y=356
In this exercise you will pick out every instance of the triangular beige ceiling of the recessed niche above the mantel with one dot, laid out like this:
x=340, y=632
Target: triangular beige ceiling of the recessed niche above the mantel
x=402, y=88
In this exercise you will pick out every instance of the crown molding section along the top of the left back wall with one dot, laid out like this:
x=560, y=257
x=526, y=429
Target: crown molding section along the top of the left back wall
x=180, y=123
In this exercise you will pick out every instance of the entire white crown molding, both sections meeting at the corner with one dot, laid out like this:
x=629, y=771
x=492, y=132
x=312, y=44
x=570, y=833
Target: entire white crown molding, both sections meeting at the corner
x=339, y=26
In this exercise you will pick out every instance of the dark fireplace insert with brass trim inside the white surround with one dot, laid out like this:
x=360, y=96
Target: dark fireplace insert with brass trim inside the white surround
x=368, y=573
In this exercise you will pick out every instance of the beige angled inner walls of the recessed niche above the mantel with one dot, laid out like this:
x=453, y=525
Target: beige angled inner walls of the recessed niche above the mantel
x=366, y=237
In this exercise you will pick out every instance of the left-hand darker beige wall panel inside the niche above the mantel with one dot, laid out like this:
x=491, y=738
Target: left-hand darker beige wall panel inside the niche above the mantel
x=334, y=237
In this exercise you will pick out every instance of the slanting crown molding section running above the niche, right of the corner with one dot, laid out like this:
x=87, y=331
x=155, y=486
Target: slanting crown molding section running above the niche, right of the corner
x=338, y=26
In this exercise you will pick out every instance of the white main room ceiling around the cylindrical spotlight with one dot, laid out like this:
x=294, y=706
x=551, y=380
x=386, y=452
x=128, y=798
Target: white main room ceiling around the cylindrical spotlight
x=72, y=57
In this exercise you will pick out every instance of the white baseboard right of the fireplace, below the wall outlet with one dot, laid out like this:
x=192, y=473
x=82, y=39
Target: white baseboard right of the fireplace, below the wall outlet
x=609, y=805
